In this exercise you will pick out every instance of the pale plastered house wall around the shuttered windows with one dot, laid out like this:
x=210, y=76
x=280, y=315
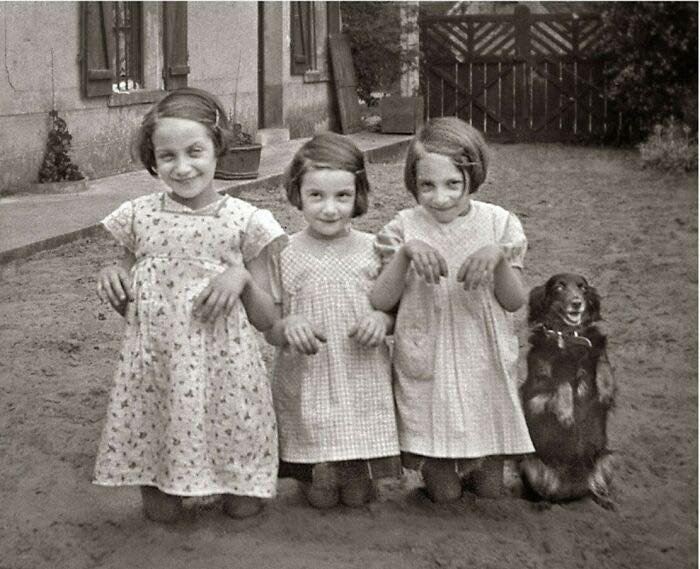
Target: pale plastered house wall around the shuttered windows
x=223, y=59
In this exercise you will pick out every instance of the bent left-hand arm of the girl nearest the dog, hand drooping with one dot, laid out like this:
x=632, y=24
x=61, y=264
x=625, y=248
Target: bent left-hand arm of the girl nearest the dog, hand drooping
x=388, y=288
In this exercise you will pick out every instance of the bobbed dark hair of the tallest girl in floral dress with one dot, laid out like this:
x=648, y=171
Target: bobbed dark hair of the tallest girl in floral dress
x=186, y=103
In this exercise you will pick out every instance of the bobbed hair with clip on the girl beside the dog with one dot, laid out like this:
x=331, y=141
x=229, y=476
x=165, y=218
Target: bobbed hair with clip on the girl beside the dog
x=453, y=138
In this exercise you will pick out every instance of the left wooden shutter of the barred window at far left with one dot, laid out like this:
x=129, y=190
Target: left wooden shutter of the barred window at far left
x=97, y=65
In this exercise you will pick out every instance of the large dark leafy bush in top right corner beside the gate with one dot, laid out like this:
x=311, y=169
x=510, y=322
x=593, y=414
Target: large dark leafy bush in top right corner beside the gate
x=651, y=62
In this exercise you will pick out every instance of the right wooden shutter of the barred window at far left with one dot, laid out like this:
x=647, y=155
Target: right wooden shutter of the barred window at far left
x=175, y=40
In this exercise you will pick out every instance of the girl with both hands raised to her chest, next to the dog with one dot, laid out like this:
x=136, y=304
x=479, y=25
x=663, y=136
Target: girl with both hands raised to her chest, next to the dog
x=455, y=265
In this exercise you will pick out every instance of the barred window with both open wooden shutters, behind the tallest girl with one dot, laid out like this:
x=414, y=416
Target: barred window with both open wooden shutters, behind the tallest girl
x=112, y=36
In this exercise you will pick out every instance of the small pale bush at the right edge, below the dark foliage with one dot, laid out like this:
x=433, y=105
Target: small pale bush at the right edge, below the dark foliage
x=670, y=147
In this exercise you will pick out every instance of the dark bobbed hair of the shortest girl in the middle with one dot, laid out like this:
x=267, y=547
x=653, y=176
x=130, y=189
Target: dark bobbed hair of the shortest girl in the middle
x=329, y=151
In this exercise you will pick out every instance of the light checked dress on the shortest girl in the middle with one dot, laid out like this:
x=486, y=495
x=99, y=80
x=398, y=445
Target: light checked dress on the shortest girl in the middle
x=337, y=404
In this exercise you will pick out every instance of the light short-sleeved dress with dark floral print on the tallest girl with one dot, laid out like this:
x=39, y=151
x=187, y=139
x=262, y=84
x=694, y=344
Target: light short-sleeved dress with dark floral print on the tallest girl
x=190, y=411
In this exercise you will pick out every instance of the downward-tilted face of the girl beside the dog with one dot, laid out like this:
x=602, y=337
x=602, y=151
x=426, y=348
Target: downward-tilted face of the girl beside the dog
x=441, y=188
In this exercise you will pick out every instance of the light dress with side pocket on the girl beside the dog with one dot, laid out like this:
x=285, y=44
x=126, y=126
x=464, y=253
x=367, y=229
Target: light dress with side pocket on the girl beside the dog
x=456, y=351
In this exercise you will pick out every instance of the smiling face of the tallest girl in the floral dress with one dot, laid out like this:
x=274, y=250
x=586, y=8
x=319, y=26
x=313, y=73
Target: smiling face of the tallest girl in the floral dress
x=186, y=160
